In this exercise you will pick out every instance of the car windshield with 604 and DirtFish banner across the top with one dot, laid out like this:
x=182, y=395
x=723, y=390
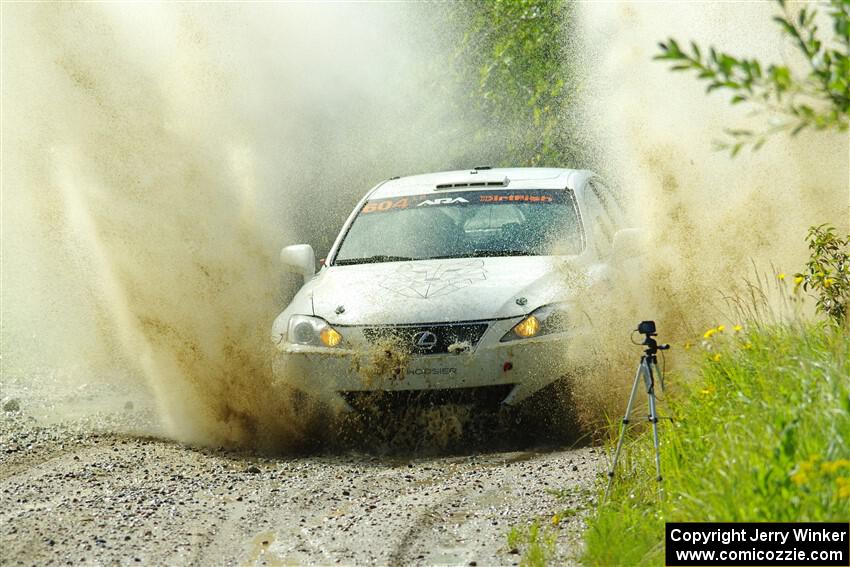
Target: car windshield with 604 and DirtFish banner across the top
x=464, y=224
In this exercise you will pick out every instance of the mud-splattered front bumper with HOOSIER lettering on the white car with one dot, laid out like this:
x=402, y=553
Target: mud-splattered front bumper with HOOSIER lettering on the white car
x=519, y=367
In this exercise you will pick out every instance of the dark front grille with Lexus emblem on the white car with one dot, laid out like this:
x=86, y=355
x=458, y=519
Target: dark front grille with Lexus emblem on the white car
x=431, y=339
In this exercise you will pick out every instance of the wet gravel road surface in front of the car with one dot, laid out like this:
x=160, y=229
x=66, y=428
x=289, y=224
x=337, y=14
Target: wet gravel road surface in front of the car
x=72, y=493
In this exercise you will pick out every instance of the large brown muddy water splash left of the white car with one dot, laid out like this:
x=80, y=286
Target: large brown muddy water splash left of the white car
x=159, y=156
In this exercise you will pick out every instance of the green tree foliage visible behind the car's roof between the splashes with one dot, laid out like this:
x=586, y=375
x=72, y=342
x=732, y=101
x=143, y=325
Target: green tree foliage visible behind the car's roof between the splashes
x=513, y=62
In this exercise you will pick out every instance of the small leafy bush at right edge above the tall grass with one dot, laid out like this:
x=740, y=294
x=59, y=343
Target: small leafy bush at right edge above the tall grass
x=827, y=274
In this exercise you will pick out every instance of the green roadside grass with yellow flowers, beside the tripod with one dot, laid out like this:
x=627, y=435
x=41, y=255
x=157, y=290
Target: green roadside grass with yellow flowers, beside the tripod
x=760, y=433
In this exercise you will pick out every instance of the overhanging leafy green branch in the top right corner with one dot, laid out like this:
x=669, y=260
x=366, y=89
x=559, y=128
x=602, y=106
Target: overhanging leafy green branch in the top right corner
x=820, y=100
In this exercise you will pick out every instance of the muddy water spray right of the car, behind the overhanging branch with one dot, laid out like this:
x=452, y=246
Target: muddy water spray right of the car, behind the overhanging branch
x=710, y=220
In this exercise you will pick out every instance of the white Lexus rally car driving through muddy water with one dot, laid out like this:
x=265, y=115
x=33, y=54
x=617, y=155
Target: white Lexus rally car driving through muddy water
x=473, y=275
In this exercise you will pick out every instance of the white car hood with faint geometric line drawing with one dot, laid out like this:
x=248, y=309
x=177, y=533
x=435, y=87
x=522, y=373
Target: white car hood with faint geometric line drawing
x=432, y=291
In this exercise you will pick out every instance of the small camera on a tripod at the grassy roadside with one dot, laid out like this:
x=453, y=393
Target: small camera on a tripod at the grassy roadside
x=648, y=370
